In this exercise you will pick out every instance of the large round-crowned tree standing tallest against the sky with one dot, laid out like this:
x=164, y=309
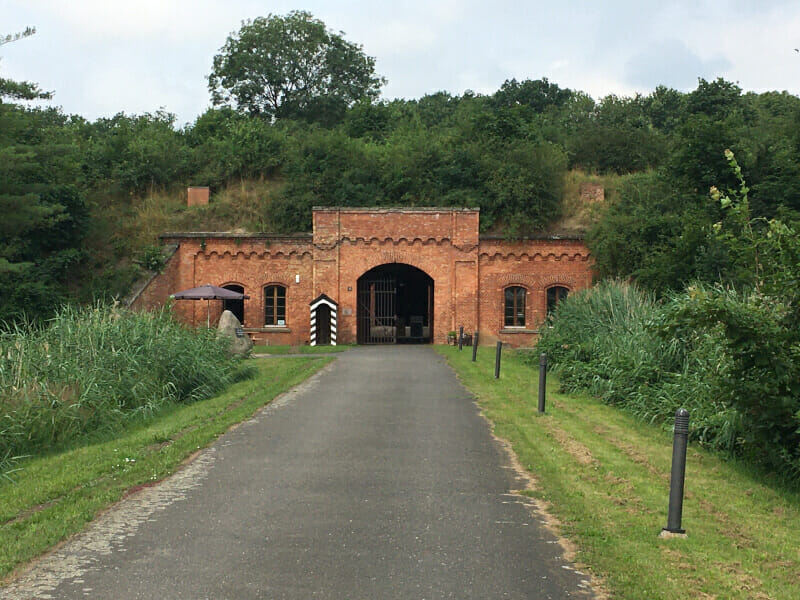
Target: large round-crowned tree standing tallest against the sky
x=291, y=66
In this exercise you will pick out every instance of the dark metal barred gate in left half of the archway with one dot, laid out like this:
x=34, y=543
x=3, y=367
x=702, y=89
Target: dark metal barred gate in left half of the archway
x=377, y=314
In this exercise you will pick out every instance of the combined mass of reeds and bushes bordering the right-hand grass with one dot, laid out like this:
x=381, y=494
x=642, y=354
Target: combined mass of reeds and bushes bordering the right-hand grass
x=730, y=358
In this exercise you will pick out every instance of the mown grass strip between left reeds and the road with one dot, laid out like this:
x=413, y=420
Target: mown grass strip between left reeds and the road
x=55, y=496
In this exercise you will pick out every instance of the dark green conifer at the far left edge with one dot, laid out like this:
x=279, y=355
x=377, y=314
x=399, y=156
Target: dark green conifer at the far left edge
x=44, y=217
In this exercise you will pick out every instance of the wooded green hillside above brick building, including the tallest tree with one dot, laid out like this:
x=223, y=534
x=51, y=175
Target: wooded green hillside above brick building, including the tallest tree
x=297, y=115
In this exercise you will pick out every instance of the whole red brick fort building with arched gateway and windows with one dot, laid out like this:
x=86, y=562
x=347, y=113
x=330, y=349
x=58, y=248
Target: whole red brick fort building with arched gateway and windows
x=376, y=275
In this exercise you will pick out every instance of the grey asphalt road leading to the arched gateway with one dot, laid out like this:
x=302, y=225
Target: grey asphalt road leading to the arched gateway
x=377, y=479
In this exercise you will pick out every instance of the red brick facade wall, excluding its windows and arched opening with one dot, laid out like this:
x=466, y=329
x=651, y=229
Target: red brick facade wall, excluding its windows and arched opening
x=470, y=274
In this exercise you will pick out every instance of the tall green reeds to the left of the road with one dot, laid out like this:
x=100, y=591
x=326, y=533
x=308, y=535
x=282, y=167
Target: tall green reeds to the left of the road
x=89, y=370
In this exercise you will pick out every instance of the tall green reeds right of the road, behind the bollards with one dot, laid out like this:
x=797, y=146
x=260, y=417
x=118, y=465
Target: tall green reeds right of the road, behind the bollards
x=606, y=341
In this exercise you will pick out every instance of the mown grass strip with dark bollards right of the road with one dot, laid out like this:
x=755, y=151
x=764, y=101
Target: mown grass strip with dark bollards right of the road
x=605, y=476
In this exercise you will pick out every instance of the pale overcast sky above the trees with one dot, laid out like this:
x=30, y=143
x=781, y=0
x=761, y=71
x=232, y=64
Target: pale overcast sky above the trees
x=101, y=57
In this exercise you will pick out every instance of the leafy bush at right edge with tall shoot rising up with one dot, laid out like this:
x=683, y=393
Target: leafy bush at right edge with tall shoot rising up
x=758, y=324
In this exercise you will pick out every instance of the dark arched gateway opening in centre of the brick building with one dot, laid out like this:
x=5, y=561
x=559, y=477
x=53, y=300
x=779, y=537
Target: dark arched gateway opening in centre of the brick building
x=395, y=305
